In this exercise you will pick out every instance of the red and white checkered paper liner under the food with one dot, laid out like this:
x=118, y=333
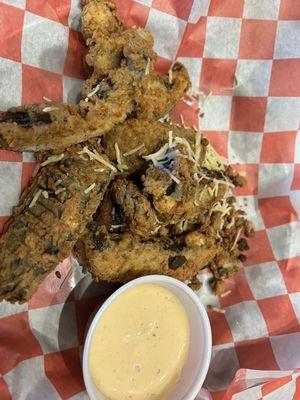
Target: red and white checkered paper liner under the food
x=246, y=53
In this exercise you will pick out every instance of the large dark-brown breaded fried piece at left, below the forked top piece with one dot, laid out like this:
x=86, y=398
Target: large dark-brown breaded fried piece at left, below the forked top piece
x=52, y=215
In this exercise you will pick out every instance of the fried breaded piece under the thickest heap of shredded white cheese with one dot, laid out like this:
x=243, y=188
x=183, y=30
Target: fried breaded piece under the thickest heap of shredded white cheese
x=179, y=169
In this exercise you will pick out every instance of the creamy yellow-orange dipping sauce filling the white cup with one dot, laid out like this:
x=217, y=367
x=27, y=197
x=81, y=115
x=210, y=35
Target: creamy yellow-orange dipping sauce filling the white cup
x=140, y=345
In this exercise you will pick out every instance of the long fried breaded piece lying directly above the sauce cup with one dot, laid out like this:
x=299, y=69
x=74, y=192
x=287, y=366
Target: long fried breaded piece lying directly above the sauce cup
x=122, y=257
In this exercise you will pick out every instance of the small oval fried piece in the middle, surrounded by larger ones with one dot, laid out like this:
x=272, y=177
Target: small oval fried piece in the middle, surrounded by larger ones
x=140, y=216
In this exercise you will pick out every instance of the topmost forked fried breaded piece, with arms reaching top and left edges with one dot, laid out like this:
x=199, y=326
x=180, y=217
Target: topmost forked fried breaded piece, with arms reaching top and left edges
x=123, y=85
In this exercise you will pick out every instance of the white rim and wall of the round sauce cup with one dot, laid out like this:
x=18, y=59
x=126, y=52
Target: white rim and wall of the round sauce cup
x=196, y=367
